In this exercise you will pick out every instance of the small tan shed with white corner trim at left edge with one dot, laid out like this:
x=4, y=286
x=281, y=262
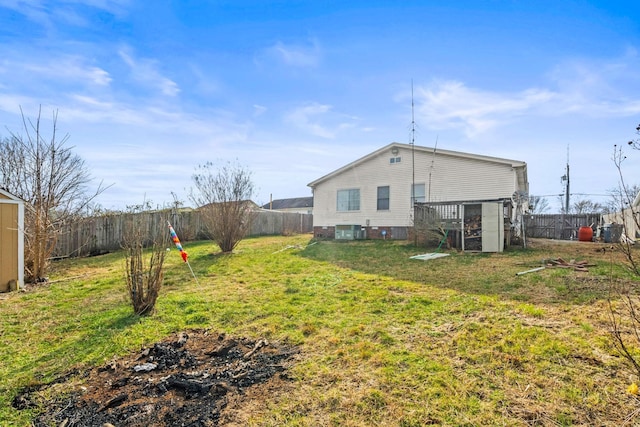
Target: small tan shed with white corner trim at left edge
x=11, y=241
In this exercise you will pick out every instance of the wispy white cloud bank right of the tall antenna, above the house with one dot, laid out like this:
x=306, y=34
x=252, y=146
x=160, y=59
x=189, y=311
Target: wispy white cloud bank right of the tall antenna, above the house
x=590, y=89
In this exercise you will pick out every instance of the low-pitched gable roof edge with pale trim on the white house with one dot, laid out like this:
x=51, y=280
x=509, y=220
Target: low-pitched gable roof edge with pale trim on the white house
x=520, y=166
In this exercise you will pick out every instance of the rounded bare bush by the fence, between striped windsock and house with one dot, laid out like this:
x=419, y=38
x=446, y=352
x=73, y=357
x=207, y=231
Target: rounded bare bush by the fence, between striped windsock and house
x=223, y=194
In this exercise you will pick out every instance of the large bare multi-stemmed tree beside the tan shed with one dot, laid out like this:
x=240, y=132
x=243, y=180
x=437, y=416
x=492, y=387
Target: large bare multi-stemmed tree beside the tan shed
x=52, y=181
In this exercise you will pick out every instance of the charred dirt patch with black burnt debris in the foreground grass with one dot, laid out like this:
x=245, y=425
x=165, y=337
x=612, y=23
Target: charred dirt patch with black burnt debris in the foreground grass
x=195, y=379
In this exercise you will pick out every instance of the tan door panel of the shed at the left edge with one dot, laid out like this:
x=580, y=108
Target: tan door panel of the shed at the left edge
x=8, y=244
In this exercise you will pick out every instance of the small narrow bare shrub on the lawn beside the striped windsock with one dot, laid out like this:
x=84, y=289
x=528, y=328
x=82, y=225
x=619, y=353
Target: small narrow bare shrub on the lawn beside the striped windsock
x=143, y=267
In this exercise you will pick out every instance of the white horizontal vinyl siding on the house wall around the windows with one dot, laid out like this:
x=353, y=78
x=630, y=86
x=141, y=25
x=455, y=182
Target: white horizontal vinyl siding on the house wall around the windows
x=445, y=176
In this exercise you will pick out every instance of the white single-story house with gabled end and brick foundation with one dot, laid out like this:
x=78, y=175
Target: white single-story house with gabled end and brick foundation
x=376, y=195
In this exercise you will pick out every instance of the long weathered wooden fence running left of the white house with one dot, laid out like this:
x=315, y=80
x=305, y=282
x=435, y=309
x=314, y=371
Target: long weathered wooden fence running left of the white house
x=100, y=234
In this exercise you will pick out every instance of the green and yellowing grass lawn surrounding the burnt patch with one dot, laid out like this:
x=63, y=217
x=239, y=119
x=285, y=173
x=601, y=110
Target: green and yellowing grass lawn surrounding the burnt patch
x=384, y=340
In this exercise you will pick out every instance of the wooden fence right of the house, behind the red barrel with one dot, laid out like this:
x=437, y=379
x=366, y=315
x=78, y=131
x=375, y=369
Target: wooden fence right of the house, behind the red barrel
x=558, y=226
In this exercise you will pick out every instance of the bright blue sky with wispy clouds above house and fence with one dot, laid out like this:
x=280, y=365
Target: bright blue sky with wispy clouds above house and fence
x=293, y=90
